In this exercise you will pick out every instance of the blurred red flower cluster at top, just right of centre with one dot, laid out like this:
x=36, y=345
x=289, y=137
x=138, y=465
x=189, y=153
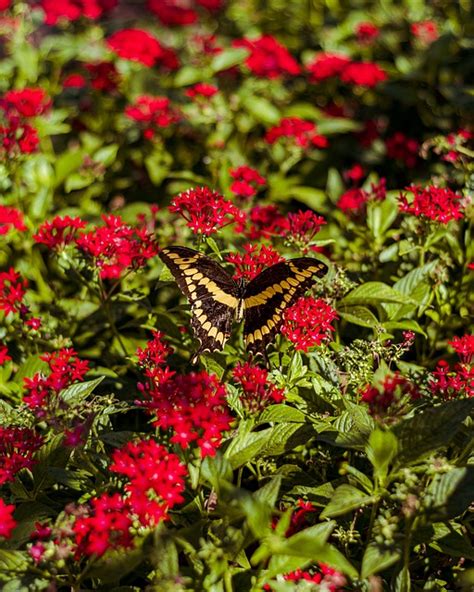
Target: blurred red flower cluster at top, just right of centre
x=268, y=58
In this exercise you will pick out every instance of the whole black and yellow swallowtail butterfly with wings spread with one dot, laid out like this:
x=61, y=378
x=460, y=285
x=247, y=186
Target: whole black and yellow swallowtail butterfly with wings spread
x=216, y=298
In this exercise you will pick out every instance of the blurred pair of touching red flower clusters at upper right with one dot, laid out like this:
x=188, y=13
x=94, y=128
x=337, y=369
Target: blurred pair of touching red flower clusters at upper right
x=332, y=65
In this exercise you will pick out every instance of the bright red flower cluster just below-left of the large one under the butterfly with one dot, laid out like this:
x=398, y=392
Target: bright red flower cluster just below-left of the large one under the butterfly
x=155, y=479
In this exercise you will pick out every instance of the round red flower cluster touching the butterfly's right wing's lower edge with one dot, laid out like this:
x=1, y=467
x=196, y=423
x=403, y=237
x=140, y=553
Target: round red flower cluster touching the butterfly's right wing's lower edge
x=308, y=323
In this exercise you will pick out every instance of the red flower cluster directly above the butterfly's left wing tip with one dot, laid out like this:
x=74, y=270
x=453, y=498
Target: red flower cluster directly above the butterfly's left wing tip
x=205, y=211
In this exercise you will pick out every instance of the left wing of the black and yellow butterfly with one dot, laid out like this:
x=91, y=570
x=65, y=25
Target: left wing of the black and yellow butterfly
x=211, y=291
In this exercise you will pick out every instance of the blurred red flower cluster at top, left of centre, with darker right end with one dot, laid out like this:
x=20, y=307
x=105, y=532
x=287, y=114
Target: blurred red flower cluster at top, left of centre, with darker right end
x=139, y=46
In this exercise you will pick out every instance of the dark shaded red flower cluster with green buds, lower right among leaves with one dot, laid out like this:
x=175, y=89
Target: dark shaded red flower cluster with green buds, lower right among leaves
x=392, y=390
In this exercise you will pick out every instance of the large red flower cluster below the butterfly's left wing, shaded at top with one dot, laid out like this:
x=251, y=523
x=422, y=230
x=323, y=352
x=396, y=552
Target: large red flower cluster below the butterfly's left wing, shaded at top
x=192, y=406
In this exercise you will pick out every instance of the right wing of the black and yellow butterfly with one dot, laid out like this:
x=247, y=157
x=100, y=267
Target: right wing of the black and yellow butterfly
x=268, y=295
